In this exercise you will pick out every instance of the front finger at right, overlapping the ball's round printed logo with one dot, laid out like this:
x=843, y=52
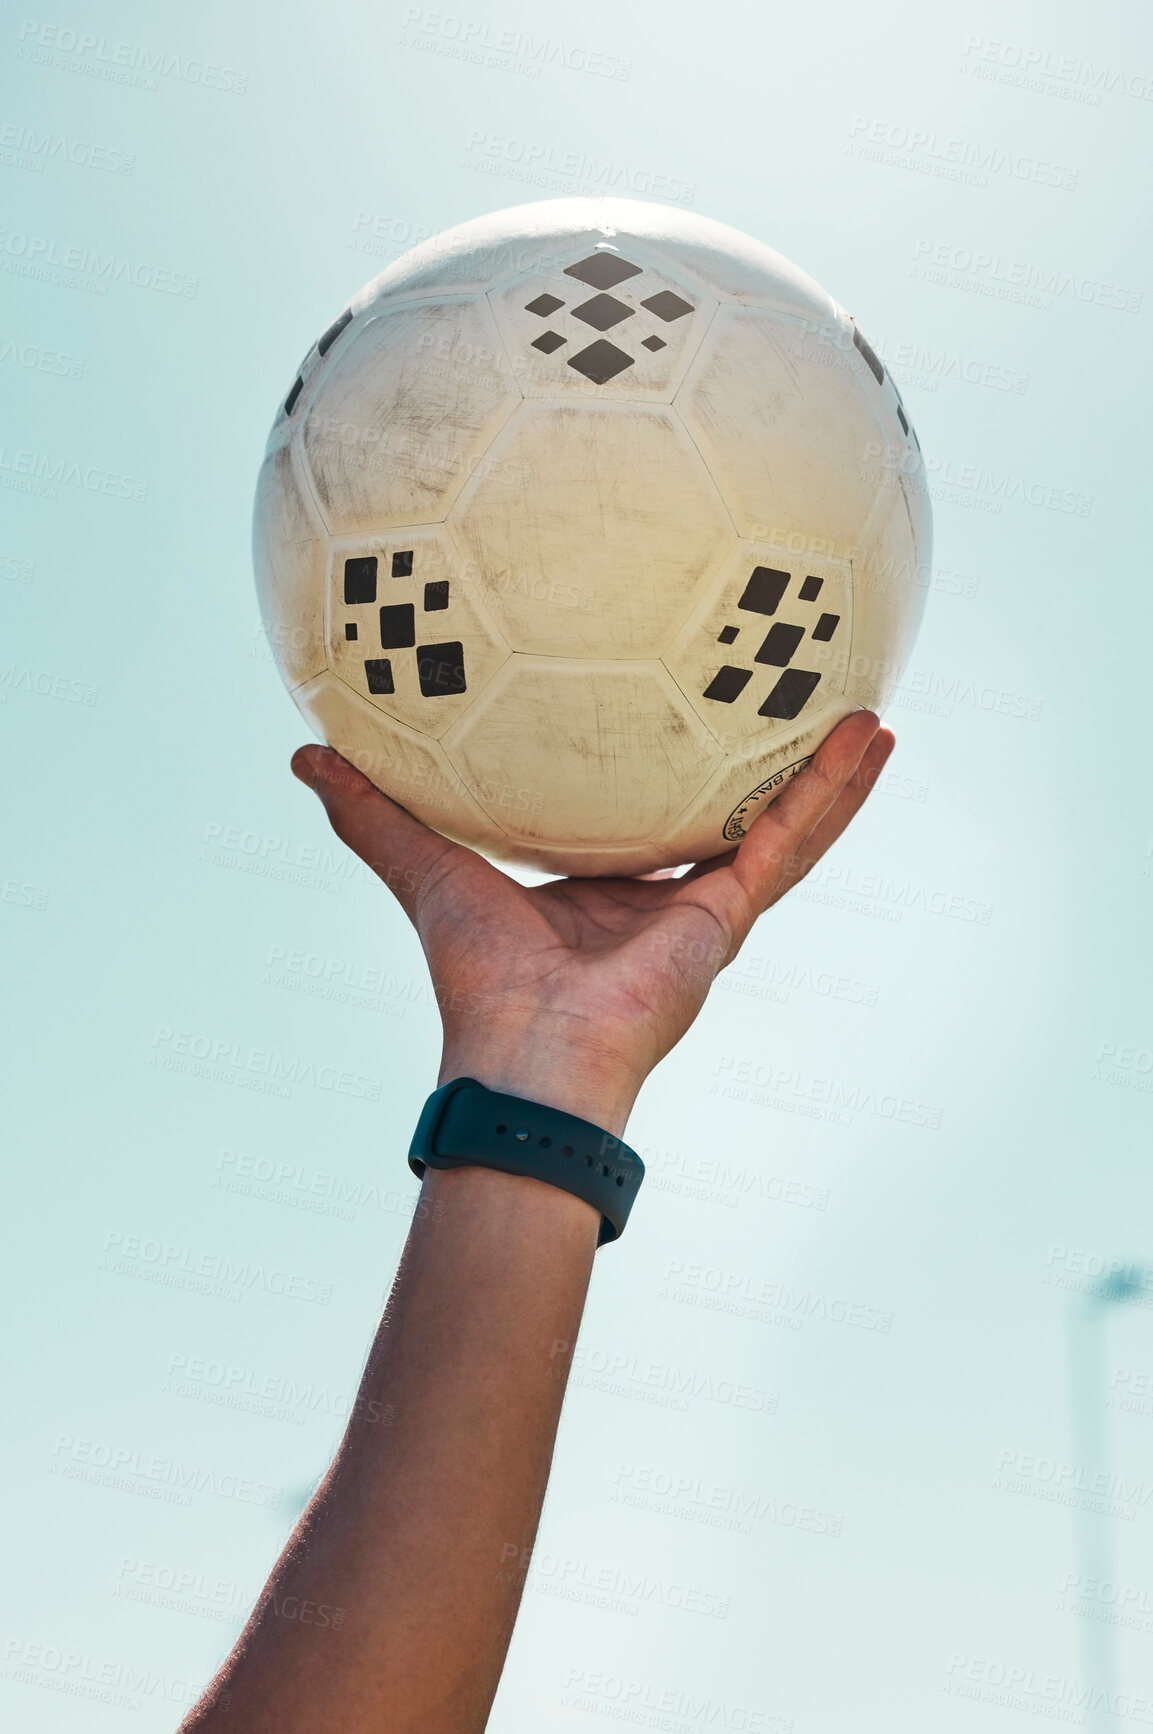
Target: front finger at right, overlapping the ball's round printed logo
x=767, y=854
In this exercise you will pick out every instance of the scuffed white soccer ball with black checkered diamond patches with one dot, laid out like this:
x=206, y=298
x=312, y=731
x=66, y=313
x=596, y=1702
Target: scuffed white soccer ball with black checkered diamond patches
x=583, y=526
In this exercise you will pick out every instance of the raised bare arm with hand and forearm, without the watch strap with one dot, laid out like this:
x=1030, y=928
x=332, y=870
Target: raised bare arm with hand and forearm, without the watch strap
x=394, y=1601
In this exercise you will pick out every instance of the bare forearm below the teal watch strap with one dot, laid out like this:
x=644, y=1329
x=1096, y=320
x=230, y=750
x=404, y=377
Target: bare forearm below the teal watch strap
x=438, y=1487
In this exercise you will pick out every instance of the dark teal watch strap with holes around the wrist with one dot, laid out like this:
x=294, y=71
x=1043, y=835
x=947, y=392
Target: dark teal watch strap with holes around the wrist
x=464, y=1124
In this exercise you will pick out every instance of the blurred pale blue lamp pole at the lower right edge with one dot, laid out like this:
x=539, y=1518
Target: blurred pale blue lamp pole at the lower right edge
x=1090, y=1428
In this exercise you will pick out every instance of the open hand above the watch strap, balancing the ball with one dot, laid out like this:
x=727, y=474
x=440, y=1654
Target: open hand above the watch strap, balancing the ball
x=573, y=991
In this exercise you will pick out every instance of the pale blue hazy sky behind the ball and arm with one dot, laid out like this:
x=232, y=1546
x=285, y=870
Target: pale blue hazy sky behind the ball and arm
x=164, y=873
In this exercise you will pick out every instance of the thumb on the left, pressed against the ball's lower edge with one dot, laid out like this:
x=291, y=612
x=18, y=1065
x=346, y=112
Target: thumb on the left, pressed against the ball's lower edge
x=384, y=835
